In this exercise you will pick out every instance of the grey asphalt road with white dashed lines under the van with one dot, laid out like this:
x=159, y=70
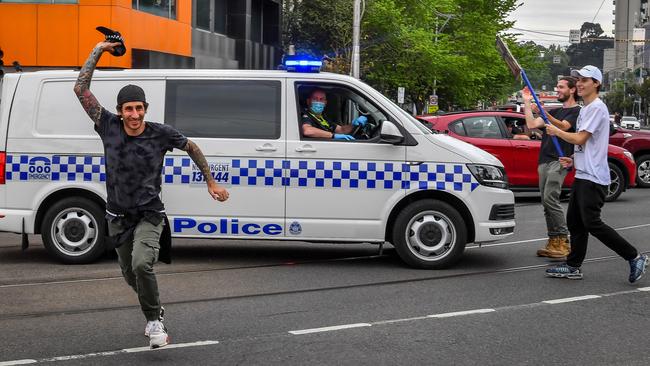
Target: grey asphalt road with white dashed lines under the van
x=272, y=303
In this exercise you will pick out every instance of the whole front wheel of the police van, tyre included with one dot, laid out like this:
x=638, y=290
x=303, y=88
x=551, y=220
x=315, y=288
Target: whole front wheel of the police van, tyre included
x=429, y=234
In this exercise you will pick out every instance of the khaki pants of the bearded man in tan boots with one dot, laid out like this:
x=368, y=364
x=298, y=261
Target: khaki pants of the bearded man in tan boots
x=551, y=177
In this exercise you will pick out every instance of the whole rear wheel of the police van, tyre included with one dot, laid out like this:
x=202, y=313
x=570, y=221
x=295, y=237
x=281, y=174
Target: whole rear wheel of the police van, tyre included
x=73, y=230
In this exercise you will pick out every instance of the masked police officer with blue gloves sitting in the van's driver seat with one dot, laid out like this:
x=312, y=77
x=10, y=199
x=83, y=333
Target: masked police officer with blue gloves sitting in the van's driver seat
x=314, y=125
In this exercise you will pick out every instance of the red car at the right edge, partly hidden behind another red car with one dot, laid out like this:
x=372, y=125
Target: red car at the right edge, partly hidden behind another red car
x=637, y=143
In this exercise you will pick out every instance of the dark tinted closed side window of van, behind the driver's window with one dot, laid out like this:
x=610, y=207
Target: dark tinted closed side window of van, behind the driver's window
x=244, y=109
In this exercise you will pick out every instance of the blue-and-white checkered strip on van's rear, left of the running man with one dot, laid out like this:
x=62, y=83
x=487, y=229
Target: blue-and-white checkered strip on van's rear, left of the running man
x=55, y=168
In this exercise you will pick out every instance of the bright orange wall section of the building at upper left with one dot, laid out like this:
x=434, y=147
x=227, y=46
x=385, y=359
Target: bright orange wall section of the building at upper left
x=63, y=35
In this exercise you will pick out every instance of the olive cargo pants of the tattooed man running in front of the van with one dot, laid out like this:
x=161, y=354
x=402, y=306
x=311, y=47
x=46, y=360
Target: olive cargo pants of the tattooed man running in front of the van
x=136, y=258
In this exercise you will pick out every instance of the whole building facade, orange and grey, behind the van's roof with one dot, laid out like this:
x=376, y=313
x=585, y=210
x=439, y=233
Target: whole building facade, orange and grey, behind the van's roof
x=243, y=34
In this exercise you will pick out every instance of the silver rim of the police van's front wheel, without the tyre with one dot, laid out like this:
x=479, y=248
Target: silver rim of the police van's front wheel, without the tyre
x=430, y=235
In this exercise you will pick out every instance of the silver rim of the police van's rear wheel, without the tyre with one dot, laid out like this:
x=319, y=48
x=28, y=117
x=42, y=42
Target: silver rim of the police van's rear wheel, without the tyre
x=74, y=232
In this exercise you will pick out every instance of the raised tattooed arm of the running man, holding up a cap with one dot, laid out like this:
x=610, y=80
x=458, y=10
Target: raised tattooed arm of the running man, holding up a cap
x=82, y=86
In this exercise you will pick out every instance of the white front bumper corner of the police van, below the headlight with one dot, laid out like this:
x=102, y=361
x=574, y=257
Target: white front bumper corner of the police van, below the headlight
x=488, y=226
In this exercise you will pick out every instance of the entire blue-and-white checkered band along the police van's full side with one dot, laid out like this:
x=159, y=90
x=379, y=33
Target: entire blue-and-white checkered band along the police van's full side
x=267, y=172
